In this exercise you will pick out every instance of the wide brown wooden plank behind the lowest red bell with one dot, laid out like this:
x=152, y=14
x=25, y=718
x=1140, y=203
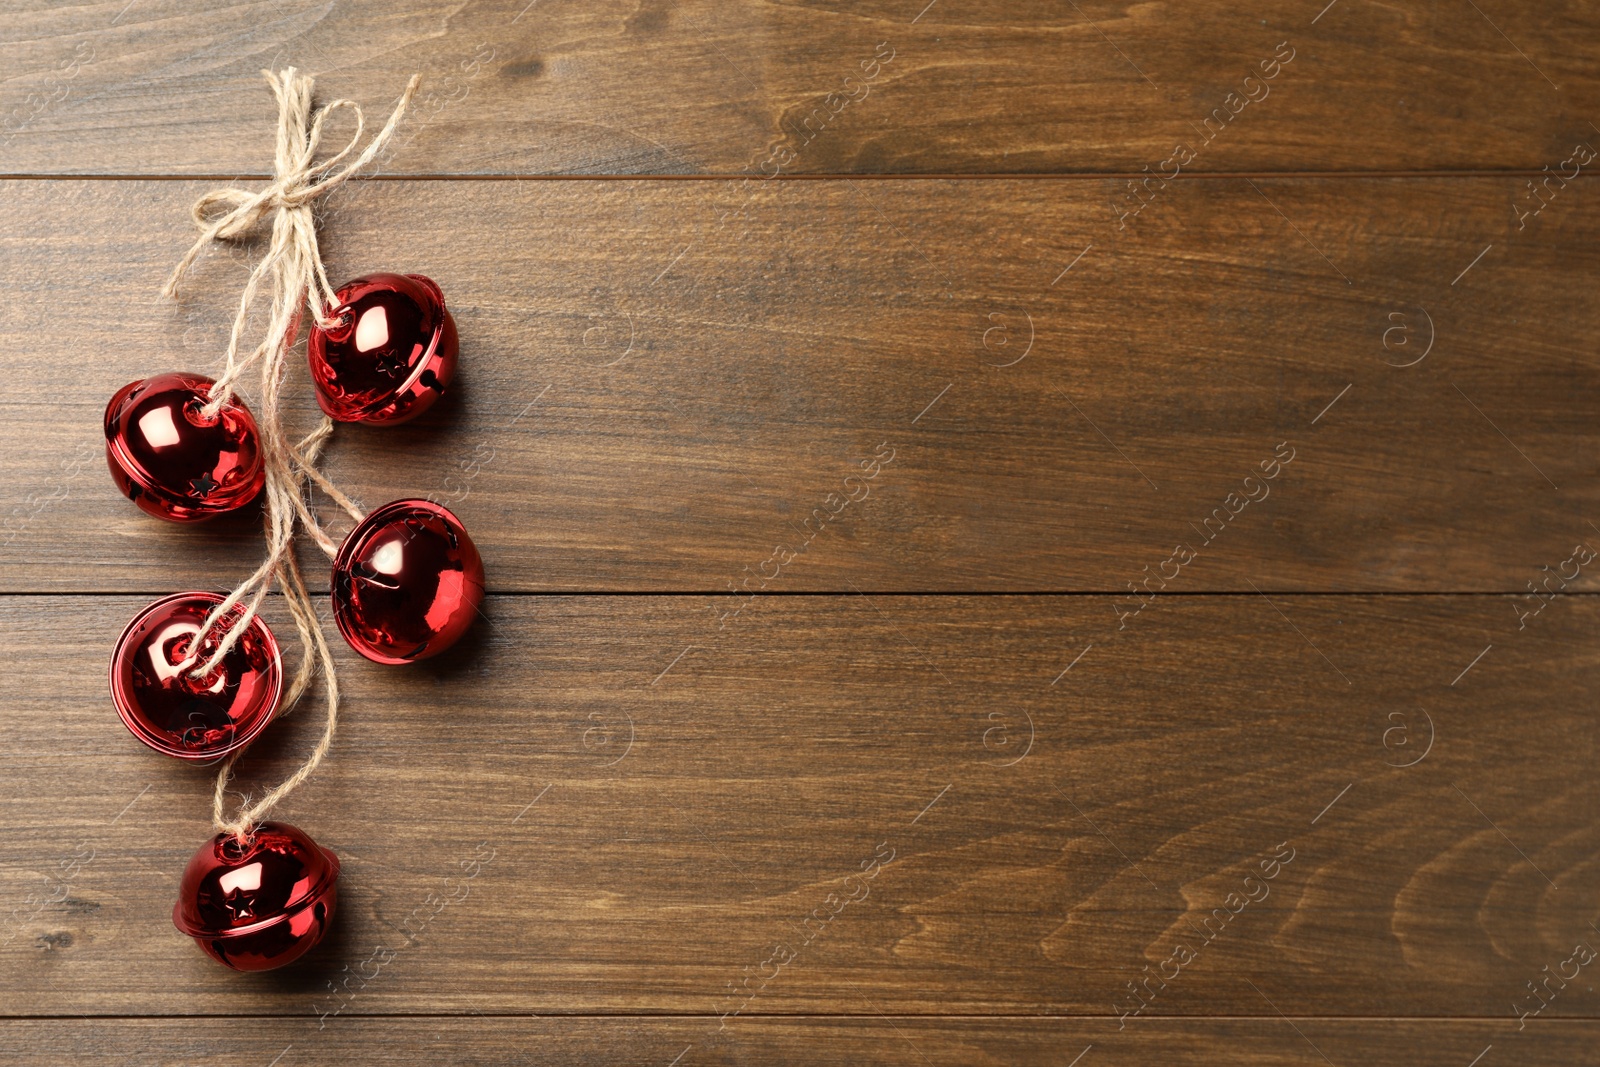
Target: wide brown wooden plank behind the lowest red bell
x=1023, y=826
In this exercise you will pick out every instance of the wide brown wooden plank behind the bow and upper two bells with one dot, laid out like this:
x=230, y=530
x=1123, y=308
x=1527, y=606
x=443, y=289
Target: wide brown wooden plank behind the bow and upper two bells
x=676, y=386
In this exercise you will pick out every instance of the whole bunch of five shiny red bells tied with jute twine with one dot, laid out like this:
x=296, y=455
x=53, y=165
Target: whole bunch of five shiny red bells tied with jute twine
x=407, y=583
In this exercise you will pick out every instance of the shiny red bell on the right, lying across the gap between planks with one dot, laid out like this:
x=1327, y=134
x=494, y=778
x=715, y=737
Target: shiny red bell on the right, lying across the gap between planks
x=407, y=583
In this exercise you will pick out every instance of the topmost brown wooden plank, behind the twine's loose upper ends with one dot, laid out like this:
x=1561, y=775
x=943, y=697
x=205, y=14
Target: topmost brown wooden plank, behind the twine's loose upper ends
x=726, y=87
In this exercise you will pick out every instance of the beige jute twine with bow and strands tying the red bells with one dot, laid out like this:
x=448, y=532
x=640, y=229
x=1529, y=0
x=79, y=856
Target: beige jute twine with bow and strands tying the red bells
x=298, y=279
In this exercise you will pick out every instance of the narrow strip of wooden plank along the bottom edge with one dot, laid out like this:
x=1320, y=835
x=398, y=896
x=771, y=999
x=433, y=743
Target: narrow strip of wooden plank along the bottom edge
x=906, y=1042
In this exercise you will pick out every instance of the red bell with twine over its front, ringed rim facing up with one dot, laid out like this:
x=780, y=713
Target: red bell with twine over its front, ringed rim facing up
x=182, y=716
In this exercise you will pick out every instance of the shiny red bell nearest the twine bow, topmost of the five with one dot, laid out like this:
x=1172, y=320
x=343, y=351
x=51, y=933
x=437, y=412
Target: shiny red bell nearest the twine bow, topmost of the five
x=393, y=353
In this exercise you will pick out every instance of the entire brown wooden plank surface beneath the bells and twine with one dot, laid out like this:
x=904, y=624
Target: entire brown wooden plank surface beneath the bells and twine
x=1017, y=532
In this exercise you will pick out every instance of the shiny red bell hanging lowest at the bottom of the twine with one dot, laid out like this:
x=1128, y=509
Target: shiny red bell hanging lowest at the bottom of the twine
x=258, y=905
